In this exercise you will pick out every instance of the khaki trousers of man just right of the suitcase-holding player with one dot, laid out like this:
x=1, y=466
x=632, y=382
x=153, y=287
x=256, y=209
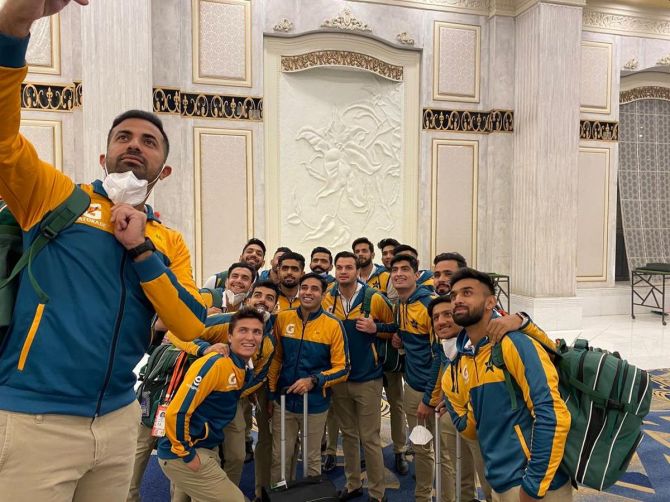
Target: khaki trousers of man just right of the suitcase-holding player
x=357, y=406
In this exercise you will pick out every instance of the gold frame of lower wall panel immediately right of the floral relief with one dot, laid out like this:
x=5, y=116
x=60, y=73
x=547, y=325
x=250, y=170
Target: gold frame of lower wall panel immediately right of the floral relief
x=474, y=145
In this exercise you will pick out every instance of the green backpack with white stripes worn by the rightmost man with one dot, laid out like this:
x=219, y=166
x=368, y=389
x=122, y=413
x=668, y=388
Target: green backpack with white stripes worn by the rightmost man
x=607, y=399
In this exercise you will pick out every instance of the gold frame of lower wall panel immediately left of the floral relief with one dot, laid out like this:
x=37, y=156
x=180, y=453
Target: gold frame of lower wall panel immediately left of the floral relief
x=198, y=134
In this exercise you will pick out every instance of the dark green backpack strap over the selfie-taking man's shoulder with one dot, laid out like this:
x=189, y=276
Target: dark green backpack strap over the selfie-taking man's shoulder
x=51, y=225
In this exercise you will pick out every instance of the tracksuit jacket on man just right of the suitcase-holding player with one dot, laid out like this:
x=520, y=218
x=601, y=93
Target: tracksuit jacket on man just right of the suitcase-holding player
x=365, y=364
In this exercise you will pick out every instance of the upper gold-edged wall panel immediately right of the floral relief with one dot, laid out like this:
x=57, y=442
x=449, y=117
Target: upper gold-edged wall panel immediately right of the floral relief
x=456, y=62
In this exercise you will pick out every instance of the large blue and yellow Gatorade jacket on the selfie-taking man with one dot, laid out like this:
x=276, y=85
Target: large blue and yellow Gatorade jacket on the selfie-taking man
x=75, y=355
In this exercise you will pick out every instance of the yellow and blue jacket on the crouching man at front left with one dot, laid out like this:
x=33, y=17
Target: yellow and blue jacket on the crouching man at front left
x=205, y=403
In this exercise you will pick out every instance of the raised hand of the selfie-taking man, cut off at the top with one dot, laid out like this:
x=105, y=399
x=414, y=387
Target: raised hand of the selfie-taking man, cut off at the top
x=17, y=16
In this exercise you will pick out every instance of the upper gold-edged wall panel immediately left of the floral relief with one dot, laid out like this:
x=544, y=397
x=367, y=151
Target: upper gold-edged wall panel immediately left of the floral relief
x=222, y=42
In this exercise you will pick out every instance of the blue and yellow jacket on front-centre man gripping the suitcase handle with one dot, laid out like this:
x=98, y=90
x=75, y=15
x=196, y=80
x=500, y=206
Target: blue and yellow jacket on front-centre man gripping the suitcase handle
x=315, y=347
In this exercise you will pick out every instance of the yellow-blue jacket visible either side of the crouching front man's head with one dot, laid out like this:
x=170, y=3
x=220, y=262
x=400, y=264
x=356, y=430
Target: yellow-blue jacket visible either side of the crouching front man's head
x=217, y=327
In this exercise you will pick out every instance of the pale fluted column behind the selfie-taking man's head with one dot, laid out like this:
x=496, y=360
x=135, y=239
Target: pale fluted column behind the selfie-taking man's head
x=116, y=71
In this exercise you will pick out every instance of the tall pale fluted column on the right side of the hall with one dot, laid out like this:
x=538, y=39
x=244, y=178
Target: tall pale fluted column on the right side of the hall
x=546, y=146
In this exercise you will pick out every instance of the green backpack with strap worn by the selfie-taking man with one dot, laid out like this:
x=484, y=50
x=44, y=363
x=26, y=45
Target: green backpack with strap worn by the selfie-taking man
x=13, y=258
